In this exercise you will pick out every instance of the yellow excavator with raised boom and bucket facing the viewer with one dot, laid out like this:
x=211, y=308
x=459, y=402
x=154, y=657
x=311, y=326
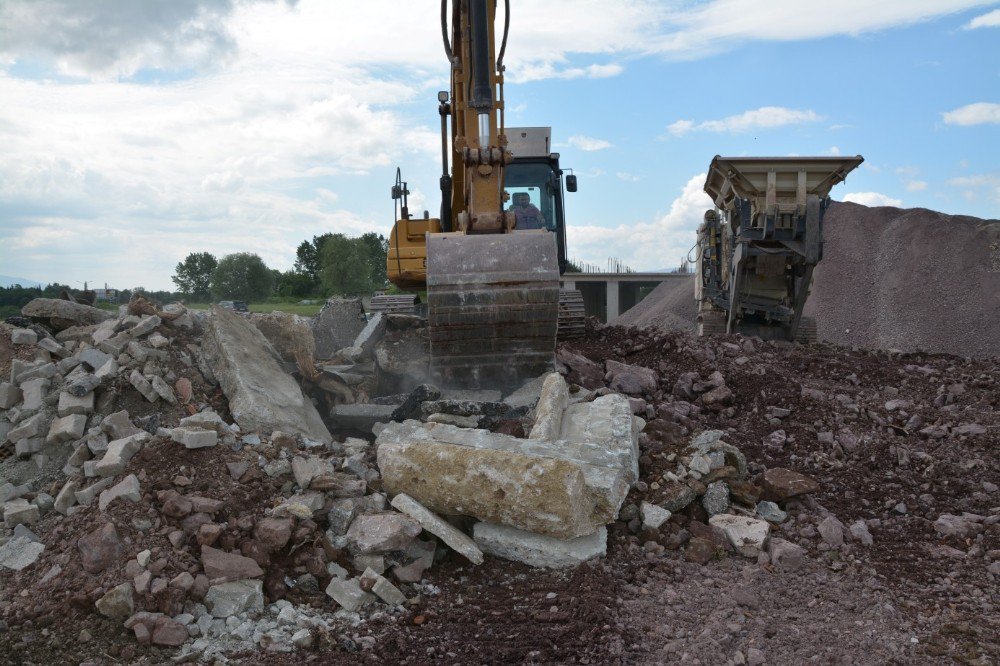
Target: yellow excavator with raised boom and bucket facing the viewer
x=491, y=261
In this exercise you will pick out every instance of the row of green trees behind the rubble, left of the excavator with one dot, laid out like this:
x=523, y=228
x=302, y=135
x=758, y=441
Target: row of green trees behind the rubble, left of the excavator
x=329, y=264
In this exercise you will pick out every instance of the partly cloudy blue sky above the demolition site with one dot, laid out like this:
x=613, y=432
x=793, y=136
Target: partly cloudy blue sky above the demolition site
x=135, y=136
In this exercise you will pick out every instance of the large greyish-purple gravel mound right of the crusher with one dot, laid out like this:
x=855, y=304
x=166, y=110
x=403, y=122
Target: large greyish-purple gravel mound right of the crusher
x=908, y=279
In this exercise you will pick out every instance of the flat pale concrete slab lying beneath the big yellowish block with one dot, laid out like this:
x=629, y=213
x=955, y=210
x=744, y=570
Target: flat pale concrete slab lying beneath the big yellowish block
x=537, y=550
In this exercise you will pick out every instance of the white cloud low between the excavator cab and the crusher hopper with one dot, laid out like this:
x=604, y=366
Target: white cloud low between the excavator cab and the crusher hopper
x=665, y=241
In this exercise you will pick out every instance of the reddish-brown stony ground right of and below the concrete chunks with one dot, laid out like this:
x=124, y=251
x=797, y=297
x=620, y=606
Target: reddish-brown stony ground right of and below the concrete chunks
x=913, y=596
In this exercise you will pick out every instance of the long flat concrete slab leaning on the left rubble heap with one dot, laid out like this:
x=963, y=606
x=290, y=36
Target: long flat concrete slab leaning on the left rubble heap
x=262, y=396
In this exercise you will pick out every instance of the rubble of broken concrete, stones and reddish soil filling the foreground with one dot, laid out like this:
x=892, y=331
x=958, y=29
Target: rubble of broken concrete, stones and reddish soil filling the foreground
x=185, y=486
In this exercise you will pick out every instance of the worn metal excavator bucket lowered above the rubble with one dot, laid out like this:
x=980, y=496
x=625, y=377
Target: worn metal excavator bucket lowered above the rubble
x=493, y=307
